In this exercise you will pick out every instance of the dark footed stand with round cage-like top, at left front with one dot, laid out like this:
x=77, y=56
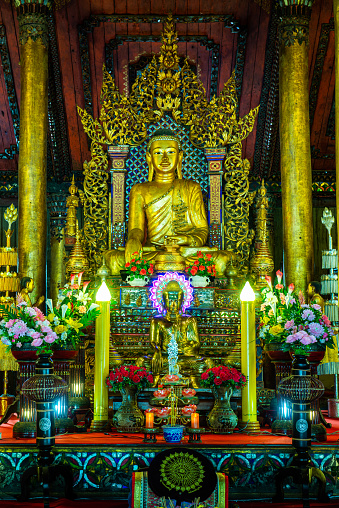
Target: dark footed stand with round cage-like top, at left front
x=44, y=388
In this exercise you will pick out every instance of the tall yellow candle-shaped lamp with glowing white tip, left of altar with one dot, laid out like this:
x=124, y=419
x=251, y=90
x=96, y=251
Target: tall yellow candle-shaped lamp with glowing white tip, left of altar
x=101, y=351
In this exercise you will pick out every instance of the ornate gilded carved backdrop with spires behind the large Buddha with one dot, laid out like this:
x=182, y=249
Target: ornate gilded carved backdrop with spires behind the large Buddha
x=166, y=93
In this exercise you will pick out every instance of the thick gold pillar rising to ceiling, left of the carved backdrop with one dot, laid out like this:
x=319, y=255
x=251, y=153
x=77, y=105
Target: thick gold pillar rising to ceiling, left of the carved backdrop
x=33, y=40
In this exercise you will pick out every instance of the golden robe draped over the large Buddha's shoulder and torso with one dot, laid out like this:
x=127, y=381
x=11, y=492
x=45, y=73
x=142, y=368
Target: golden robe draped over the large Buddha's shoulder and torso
x=179, y=210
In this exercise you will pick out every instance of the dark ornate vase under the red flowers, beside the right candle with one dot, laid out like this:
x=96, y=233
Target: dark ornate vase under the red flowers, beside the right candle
x=222, y=418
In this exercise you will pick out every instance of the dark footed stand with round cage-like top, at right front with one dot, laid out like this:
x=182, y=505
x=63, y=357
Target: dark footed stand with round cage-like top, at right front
x=300, y=388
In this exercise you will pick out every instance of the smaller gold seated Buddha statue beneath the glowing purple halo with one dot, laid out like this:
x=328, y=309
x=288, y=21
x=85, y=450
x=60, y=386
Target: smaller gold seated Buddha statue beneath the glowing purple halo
x=184, y=329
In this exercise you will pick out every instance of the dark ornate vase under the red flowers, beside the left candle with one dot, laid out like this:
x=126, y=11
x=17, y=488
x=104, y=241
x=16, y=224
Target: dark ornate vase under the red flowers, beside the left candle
x=128, y=418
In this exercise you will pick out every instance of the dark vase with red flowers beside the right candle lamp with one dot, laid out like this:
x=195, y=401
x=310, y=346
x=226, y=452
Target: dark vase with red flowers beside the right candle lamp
x=222, y=380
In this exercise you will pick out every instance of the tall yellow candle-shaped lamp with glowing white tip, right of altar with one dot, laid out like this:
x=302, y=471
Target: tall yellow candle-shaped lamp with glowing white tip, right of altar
x=249, y=419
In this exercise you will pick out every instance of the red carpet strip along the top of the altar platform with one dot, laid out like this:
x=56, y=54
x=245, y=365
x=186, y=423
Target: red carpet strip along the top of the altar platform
x=265, y=437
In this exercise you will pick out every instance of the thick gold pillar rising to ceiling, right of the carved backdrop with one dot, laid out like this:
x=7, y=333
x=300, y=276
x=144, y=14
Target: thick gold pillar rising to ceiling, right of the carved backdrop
x=296, y=173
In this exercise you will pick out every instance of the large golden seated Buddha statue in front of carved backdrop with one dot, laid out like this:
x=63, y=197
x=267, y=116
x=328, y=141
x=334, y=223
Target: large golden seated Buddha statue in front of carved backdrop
x=166, y=207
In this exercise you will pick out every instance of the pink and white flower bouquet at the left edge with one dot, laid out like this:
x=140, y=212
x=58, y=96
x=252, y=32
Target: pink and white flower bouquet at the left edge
x=26, y=325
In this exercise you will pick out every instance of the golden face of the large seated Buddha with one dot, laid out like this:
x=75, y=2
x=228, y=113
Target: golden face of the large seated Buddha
x=164, y=156
